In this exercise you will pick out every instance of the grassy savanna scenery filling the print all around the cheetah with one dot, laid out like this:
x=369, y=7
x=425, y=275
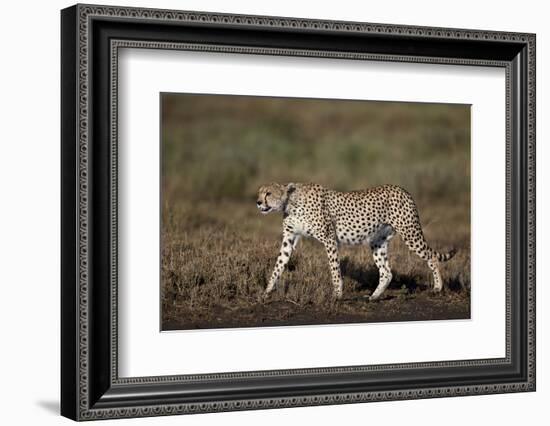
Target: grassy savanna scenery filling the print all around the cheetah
x=218, y=251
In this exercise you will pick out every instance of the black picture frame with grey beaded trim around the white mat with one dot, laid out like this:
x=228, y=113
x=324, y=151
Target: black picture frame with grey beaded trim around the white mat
x=90, y=386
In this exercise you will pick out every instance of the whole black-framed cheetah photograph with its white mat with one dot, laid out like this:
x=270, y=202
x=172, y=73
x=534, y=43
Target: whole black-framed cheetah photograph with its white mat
x=263, y=212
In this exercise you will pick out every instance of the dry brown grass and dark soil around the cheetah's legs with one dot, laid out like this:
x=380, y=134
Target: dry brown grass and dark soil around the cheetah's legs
x=214, y=274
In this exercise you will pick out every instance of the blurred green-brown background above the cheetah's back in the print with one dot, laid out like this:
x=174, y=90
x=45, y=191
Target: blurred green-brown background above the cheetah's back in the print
x=226, y=146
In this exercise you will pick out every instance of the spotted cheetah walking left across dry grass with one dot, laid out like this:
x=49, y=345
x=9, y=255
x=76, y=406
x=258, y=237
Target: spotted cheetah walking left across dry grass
x=367, y=217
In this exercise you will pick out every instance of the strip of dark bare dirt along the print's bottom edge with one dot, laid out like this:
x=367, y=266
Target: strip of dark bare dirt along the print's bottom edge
x=396, y=305
